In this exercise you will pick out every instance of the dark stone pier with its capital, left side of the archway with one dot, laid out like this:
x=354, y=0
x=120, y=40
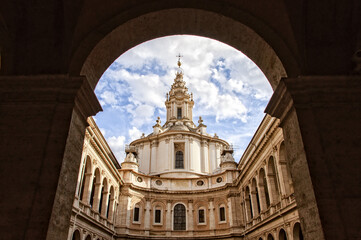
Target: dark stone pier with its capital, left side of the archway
x=42, y=126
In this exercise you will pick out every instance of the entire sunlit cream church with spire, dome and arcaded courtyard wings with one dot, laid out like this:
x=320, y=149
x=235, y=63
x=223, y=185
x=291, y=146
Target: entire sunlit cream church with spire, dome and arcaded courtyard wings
x=179, y=182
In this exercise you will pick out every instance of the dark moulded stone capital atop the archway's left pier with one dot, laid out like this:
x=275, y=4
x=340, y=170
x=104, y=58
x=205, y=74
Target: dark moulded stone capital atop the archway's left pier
x=51, y=88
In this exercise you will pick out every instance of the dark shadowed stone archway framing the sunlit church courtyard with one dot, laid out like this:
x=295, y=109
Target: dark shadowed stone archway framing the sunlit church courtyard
x=312, y=116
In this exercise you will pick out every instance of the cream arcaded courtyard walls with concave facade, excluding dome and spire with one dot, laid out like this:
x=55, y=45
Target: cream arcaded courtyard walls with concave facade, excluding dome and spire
x=254, y=201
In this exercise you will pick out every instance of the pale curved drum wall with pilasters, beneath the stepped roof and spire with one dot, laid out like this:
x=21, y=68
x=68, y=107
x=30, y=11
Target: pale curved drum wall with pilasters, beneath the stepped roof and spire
x=157, y=155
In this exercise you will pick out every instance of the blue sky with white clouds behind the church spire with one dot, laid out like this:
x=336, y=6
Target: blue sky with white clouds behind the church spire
x=230, y=92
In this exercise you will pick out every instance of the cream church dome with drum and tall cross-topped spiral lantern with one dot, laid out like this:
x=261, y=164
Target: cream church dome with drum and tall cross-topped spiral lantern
x=179, y=148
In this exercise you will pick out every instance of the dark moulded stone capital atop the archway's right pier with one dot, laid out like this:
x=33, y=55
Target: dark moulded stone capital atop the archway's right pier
x=314, y=91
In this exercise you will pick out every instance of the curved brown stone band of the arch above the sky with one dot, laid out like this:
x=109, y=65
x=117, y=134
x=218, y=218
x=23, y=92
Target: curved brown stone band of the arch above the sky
x=182, y=21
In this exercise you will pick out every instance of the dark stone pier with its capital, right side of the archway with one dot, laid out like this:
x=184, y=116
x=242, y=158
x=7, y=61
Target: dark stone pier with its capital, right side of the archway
x=321, y=117
